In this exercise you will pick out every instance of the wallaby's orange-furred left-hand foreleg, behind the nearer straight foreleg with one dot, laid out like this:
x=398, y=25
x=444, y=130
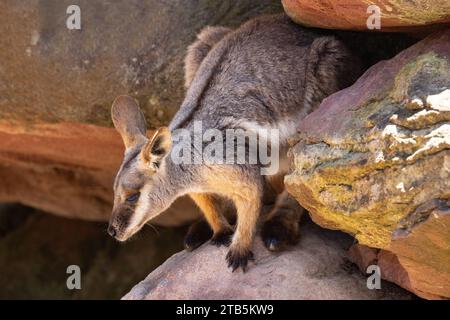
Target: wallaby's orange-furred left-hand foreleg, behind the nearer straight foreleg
x=211, y=209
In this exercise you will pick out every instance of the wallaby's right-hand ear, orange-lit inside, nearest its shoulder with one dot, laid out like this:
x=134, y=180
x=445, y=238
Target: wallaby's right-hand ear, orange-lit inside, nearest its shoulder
x=155, y=150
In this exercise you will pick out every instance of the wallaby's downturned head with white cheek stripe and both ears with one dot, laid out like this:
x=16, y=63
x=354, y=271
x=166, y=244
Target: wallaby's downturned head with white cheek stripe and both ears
x=140, y=187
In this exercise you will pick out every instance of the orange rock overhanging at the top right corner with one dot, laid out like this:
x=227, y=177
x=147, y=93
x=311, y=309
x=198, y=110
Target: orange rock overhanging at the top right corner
x=399, y=15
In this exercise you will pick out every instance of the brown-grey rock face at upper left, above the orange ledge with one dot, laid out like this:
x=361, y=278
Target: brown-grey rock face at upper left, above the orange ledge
x=50, y=73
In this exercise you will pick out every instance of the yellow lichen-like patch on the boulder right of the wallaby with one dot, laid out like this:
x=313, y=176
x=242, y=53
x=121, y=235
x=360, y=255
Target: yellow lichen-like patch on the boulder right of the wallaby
x=352, y=207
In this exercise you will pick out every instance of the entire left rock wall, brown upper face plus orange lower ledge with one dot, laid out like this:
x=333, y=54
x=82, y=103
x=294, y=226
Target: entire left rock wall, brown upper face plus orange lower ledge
x=57, y=85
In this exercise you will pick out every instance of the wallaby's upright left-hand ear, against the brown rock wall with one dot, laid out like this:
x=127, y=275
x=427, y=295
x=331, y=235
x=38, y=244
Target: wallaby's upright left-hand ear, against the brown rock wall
x=128, y=120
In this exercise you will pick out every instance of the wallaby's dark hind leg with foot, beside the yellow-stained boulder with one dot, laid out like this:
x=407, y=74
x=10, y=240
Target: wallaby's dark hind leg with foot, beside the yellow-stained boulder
x=281, y=225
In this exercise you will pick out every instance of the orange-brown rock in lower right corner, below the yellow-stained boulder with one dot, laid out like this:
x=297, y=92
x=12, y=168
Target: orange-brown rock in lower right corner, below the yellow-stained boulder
x=416, y=261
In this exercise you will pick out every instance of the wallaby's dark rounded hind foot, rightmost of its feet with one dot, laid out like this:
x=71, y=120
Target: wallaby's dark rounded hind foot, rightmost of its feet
x=278, y=234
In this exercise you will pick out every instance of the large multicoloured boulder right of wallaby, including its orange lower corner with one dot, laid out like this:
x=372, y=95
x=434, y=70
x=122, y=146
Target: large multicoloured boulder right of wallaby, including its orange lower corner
x=373, y=160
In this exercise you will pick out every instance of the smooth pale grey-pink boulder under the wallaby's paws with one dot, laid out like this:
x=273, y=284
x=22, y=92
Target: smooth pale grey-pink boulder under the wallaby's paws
x=316, y=268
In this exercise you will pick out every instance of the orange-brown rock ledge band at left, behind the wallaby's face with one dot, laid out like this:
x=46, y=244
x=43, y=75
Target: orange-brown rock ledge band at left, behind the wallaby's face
x=67, y=169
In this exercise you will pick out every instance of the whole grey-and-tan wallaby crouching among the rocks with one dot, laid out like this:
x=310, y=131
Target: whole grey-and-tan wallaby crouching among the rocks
x=267, y=74
